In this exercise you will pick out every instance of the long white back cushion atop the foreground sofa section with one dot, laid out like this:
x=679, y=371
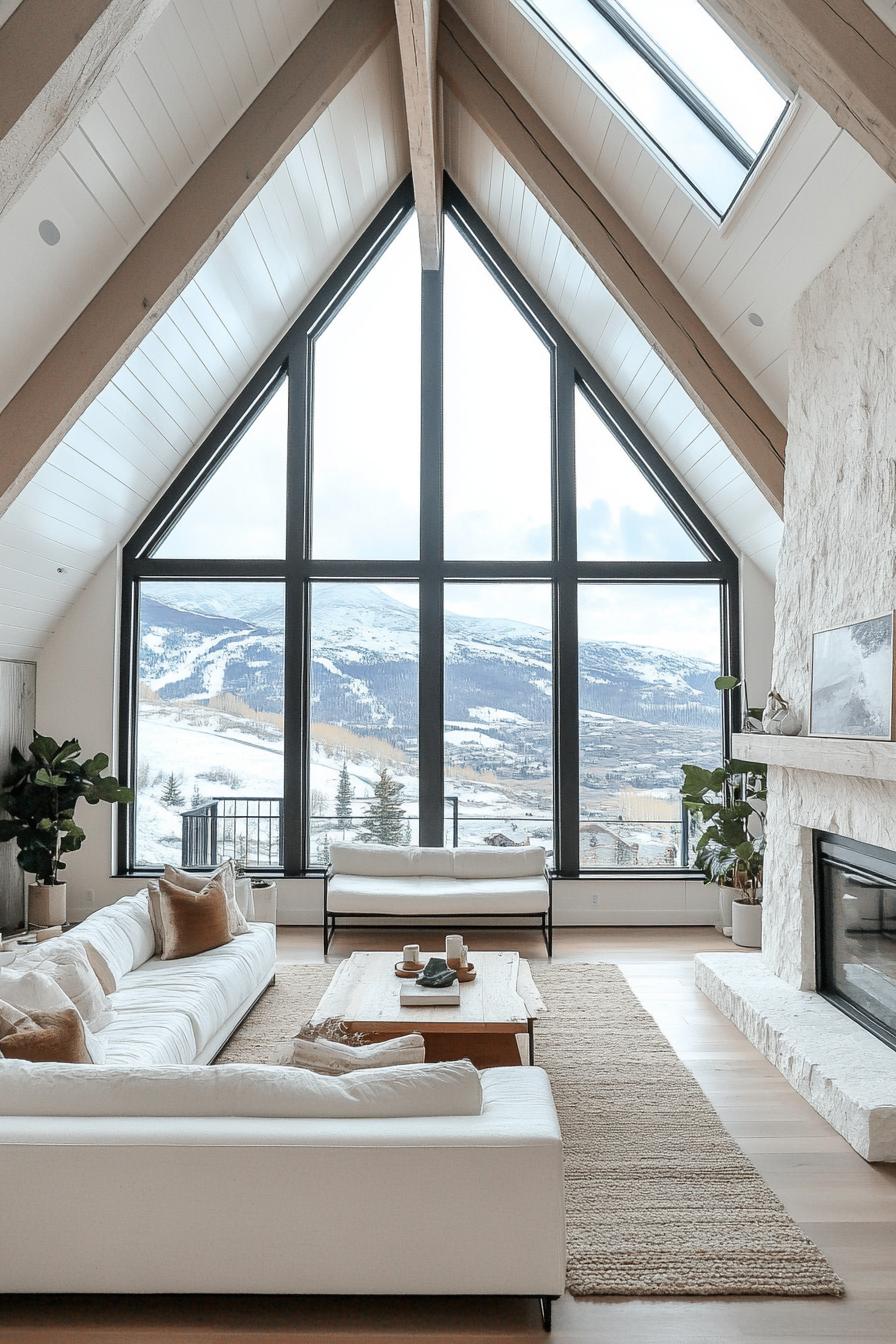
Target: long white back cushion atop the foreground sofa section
x=261, y=1091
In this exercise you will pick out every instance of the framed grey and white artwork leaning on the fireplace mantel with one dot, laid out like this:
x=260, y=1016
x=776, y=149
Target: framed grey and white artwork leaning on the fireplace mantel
x=852, y=681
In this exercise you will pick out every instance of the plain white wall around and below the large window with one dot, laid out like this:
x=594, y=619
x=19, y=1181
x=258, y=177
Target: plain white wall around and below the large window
x=77, y=697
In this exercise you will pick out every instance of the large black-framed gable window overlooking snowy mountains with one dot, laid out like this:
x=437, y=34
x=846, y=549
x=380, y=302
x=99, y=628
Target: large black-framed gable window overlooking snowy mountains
x=428, y=583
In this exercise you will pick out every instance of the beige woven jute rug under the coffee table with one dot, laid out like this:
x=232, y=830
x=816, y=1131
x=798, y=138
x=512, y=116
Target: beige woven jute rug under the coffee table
x=660, y=1200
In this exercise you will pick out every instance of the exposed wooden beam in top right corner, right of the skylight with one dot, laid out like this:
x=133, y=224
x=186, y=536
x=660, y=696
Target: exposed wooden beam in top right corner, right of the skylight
x=840, y=53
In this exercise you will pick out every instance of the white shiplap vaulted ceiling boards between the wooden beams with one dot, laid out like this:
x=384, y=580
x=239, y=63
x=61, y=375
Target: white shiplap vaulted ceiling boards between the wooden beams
x=174, y=100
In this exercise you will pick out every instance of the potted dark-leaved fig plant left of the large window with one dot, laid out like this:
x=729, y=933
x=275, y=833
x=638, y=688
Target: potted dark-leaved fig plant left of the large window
x=40, y=796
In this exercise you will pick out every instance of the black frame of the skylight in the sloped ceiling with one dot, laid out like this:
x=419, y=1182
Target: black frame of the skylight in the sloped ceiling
x=684, y=89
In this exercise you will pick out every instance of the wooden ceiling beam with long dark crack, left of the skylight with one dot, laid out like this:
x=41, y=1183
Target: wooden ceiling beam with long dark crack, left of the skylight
x=729, y=400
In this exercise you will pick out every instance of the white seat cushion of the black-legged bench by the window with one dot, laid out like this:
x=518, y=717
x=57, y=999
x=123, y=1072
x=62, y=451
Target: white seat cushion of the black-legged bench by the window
x=349, y=894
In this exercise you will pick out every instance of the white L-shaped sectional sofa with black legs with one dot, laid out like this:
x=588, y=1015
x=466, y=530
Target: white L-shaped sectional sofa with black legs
x=150, y=1174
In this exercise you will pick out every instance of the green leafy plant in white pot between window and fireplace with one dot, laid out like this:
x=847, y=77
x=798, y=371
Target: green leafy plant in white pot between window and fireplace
x=730, y=807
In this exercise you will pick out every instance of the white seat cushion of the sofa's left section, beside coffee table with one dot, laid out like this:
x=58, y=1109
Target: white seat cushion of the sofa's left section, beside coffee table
x=209, y=989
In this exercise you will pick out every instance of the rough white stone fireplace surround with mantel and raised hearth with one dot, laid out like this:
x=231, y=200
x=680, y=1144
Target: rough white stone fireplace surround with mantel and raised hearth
x=838, y=565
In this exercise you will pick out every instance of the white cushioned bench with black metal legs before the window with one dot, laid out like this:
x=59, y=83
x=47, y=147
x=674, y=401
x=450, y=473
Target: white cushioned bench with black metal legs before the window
x=367, y=881
